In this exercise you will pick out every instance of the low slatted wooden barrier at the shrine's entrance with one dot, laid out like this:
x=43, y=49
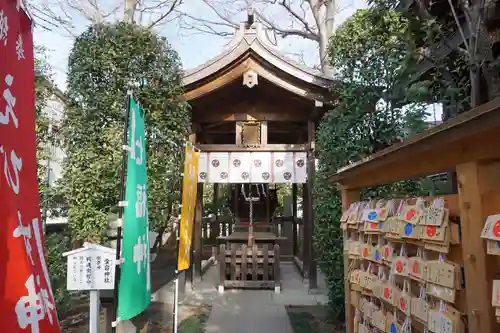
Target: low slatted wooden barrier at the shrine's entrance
x=255, y=267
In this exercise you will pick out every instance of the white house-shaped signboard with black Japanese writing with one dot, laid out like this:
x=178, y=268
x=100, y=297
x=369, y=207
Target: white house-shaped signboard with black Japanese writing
x=91, y=267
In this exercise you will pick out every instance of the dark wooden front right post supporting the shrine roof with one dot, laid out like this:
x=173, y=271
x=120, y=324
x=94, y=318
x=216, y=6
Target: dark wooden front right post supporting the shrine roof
x=311, y=168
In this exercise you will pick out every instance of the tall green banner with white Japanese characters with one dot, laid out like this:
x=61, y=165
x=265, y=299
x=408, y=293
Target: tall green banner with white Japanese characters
x=134, y=293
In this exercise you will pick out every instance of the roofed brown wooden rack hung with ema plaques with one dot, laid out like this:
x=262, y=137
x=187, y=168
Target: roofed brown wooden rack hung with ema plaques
x=467, y=145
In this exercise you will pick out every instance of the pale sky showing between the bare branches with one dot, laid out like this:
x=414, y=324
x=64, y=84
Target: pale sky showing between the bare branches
x=193, y=48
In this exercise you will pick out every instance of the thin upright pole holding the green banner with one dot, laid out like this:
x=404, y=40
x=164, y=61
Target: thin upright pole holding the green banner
x=120, y=212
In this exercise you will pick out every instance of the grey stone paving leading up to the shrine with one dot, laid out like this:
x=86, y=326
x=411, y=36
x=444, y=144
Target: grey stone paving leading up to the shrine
x=259, y=311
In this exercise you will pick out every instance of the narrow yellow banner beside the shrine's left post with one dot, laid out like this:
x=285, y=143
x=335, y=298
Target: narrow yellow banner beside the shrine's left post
x=189, y=187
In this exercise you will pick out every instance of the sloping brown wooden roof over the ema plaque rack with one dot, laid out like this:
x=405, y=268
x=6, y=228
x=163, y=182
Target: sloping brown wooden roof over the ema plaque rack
x=472, y=135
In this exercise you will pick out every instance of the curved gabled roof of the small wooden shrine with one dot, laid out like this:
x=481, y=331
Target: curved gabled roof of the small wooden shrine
x=250, y=49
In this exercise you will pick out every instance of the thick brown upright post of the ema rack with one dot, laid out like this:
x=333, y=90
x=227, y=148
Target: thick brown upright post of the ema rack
x=479, y=196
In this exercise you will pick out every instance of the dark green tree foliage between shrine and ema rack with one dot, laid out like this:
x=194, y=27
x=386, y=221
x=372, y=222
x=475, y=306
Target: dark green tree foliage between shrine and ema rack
x=380, y=103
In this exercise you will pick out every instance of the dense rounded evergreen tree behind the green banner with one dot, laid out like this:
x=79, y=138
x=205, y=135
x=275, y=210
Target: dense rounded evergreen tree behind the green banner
x=106, y=61
